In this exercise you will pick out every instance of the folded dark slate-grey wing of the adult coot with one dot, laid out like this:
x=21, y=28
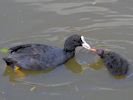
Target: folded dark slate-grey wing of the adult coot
x=36, y=56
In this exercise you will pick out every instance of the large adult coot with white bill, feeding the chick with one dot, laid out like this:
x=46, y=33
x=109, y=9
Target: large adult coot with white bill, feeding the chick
x=41, y=56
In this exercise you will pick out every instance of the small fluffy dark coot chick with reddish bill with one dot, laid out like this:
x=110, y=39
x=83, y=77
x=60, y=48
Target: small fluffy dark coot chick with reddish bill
x=114, y=62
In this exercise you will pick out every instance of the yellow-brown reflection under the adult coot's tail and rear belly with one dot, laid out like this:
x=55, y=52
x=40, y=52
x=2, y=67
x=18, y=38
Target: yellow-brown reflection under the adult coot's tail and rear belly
x=20, y=74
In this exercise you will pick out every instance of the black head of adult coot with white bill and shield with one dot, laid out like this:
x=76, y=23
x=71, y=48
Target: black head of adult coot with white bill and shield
x=73, y=41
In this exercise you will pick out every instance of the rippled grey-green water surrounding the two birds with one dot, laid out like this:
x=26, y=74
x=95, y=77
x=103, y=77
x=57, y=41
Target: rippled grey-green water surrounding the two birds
x=104, y=23
